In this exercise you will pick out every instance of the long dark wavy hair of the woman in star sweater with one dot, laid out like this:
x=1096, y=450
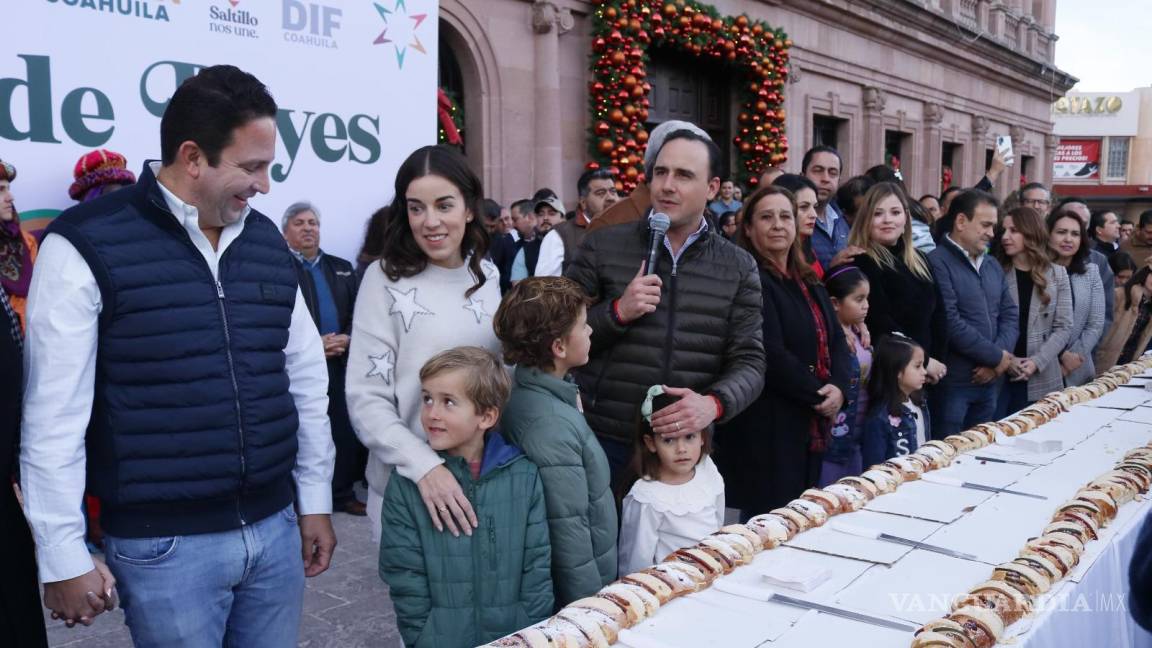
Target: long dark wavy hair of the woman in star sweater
x=400, y=255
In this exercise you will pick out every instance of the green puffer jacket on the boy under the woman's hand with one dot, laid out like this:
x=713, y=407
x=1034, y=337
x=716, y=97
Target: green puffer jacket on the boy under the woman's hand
x=469, y=591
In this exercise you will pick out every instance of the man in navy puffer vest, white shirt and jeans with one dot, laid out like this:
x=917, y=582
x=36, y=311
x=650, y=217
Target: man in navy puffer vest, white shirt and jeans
x=172, y=359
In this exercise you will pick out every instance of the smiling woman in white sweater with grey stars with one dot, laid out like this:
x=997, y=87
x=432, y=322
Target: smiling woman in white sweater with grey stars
x=430, y=292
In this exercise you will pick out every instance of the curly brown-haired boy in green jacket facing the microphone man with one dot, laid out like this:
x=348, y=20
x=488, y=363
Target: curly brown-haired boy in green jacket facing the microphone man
x=543, y=326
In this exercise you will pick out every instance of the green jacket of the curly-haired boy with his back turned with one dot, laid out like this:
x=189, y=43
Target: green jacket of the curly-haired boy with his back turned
x=542, y=418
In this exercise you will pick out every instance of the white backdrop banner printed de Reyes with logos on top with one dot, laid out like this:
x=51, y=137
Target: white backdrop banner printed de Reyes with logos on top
x=355, y=82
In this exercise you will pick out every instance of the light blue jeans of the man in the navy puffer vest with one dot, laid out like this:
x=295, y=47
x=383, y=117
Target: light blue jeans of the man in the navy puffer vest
x=238, y=589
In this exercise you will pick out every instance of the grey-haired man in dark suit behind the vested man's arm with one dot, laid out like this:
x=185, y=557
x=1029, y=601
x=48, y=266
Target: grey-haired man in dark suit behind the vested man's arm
x=329, y=284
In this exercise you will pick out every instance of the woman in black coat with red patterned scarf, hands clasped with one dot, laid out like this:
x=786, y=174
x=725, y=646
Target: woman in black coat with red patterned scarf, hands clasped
x=772, y=451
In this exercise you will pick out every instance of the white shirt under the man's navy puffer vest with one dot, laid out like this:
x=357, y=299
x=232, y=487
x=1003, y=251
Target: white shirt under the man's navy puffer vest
x=64, y=311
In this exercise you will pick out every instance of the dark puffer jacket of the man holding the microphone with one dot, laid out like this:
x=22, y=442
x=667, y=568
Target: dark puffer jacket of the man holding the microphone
x=706, y=334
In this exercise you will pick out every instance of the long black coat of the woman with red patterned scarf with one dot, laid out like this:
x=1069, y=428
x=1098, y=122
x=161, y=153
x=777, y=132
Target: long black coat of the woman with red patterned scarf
x=763, y=454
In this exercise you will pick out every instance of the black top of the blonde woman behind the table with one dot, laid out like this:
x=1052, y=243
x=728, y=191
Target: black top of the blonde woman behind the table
x=900, y=302
